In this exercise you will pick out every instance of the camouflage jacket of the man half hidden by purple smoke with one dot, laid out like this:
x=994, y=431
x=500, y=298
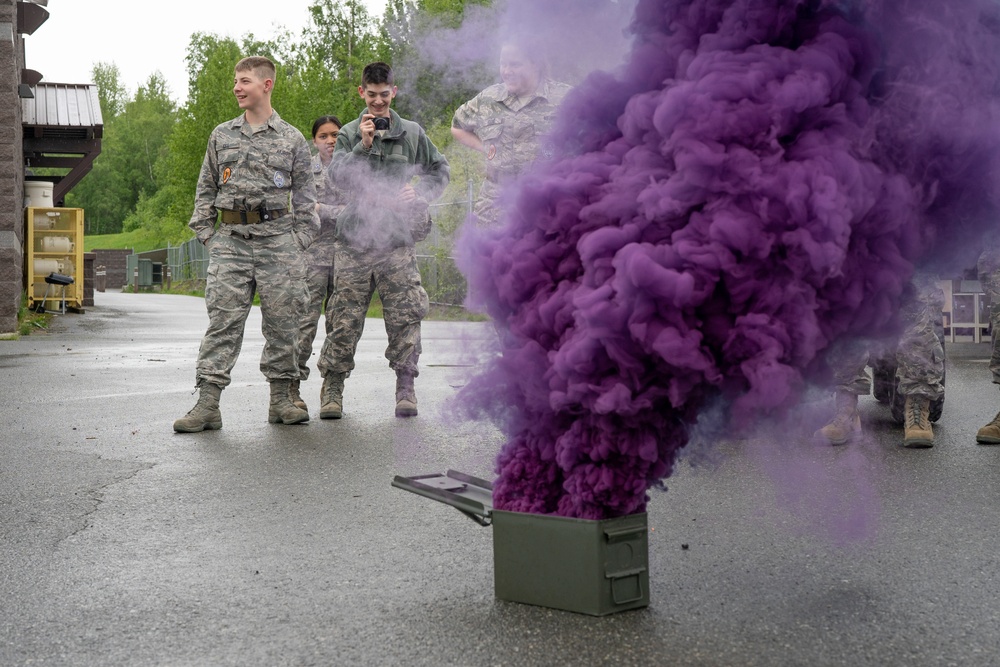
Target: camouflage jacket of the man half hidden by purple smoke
x=510, y=126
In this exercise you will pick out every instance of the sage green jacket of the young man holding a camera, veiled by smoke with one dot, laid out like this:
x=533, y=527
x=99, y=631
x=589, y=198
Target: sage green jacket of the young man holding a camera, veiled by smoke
x=370, y=180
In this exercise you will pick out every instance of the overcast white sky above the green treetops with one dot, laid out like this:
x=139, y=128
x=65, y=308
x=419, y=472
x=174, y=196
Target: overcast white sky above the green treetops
x=144, y=37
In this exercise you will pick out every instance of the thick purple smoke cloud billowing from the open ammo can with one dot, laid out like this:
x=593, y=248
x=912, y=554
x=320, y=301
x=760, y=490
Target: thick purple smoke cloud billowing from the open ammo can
x=758, y=183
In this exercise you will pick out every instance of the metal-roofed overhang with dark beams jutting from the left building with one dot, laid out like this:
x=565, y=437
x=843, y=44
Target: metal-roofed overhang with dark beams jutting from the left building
x=63, y=128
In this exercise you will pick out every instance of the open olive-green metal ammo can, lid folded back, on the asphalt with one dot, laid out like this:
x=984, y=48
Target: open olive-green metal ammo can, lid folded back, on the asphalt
x=594, y=567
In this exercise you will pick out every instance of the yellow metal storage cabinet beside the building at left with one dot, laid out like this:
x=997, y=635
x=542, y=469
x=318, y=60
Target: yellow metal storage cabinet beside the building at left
x=54, y=244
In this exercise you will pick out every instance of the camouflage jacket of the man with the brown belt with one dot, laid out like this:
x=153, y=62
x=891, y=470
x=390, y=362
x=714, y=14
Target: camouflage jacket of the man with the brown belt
x=270, y=168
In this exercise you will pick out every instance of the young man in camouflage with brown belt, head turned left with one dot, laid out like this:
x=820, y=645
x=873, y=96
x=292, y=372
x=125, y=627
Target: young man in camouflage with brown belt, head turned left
x=257, y=177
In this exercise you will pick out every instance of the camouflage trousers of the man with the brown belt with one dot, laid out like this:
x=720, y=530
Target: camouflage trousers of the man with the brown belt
x=238, y=268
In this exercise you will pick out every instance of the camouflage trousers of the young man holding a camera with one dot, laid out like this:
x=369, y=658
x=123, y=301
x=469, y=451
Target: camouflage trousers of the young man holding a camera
x=359, y=273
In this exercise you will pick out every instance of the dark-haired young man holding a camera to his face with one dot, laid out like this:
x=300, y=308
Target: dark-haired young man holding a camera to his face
x=388, y=170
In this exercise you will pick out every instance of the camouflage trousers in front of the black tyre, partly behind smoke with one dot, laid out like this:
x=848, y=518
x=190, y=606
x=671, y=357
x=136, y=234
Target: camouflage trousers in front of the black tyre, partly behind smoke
x=918, y=354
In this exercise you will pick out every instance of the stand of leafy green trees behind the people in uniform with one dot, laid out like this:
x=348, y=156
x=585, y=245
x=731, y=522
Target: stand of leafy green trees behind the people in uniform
x=152, y=152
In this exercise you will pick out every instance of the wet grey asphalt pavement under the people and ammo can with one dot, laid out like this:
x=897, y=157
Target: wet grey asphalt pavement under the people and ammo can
x=123, y=543
